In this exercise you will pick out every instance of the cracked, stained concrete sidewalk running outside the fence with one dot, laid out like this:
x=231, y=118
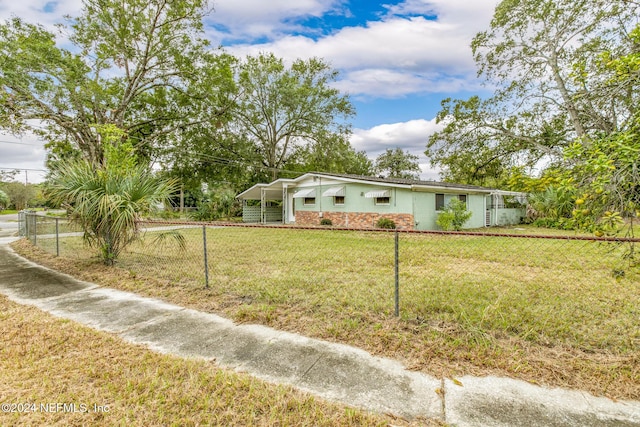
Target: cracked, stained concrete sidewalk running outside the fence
x=336, y=372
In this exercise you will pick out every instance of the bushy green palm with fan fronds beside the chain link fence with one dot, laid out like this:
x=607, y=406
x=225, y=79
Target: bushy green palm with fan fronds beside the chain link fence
x=107, y=201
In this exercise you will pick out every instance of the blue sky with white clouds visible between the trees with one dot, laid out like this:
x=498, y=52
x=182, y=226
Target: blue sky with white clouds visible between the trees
x=397, y=59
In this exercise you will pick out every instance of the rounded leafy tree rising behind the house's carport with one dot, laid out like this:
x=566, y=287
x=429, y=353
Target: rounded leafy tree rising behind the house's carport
x=285, y=109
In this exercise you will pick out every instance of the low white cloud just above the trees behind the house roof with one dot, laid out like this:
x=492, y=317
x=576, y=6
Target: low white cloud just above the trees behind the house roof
x=409, y=136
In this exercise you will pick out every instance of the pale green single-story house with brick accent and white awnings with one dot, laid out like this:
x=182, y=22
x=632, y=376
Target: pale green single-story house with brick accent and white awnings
x=358, y=202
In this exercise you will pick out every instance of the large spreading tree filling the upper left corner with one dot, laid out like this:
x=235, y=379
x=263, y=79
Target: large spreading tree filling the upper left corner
x=141, y=65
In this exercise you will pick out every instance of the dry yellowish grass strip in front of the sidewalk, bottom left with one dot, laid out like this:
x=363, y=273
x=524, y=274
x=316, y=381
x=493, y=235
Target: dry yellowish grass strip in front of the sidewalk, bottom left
x=44, y=360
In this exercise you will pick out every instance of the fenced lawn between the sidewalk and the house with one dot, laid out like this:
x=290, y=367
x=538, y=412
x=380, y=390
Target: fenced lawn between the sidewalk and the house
x=548, y=311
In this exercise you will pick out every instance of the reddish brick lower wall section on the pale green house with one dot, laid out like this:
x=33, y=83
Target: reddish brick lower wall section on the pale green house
x=354, y=219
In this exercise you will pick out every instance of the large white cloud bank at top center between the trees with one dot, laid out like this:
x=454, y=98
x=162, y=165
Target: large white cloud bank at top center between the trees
x=400, y=54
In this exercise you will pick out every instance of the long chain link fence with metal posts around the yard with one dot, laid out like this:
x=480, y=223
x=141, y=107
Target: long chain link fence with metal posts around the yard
x=488, y=280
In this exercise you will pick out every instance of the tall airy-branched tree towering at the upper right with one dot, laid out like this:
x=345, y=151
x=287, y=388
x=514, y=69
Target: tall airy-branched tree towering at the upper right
x=544, y=60
